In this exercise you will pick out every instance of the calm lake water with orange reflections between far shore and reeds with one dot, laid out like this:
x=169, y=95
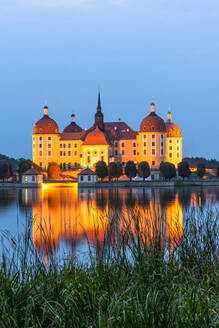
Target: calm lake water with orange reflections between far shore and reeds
x=68, y=220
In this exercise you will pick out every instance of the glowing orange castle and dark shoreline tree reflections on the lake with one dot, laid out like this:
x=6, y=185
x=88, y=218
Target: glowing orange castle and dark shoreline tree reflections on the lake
x=77, y=216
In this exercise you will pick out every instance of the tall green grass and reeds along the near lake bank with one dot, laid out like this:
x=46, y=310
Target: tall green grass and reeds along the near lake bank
x=136, y=281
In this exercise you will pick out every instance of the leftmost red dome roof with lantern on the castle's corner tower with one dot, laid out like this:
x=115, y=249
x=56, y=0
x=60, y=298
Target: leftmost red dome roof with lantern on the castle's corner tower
x=45, y=125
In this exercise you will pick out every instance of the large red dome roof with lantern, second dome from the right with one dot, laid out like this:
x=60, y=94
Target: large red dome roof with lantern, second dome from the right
x=153, y=122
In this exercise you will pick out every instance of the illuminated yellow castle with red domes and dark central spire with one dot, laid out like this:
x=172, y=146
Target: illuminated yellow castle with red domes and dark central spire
x=156, y=141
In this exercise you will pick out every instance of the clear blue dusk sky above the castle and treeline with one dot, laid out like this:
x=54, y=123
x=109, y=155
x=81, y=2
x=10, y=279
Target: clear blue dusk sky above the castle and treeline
x=61, y=51
